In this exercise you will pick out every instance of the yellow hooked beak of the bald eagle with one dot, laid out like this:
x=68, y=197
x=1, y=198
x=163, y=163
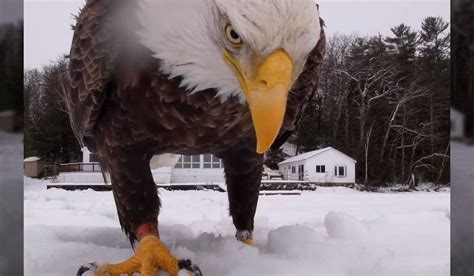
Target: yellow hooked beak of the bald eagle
x=267, y=93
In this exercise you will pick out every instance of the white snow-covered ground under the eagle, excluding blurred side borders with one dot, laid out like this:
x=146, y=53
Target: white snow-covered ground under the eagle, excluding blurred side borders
x=333, y=231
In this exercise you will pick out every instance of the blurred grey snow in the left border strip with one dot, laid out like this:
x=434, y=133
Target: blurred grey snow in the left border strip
x=11, y=207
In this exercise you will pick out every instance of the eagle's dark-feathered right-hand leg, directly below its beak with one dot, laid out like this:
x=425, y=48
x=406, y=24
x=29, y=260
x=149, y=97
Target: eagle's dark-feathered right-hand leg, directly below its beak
x=243, y=172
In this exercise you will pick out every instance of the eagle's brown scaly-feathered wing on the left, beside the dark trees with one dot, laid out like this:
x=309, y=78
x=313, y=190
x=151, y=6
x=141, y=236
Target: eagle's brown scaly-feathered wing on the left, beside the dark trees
x=91, y=63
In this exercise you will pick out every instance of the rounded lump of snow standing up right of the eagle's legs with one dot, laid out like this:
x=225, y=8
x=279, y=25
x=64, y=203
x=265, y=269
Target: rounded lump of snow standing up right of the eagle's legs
x=343, y=226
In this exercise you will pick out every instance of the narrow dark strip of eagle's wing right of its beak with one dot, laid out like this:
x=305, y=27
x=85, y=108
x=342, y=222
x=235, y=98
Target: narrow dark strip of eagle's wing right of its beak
x=303, y=90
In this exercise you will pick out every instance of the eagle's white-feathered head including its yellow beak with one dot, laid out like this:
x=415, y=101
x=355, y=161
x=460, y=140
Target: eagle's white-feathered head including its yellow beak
x=253, y=49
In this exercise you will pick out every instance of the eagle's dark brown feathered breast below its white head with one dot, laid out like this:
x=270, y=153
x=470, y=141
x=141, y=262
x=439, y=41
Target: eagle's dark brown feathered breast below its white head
x=149, y=107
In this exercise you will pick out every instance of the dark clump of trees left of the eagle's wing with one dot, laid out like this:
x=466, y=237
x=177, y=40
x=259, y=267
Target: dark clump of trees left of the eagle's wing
x=49, y=134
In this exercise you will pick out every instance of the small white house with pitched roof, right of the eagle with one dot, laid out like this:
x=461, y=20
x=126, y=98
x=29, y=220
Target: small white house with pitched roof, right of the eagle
x=326, y=166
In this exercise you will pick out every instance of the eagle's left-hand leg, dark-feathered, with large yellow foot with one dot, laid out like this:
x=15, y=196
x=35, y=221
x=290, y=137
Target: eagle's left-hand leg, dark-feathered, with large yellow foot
x=138, y=204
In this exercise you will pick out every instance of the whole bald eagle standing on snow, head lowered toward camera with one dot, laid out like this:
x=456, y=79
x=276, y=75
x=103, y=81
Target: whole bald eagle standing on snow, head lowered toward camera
x=154, y=77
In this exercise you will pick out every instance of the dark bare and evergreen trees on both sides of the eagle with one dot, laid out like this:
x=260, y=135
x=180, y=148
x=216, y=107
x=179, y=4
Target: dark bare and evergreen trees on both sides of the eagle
x=382, y=100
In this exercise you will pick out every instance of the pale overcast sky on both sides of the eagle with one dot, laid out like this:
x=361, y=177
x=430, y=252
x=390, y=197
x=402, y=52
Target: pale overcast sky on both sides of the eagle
x=48, y=34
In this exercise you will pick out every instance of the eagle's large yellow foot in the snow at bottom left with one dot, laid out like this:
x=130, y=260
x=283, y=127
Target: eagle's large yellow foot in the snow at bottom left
x=151, y=256
